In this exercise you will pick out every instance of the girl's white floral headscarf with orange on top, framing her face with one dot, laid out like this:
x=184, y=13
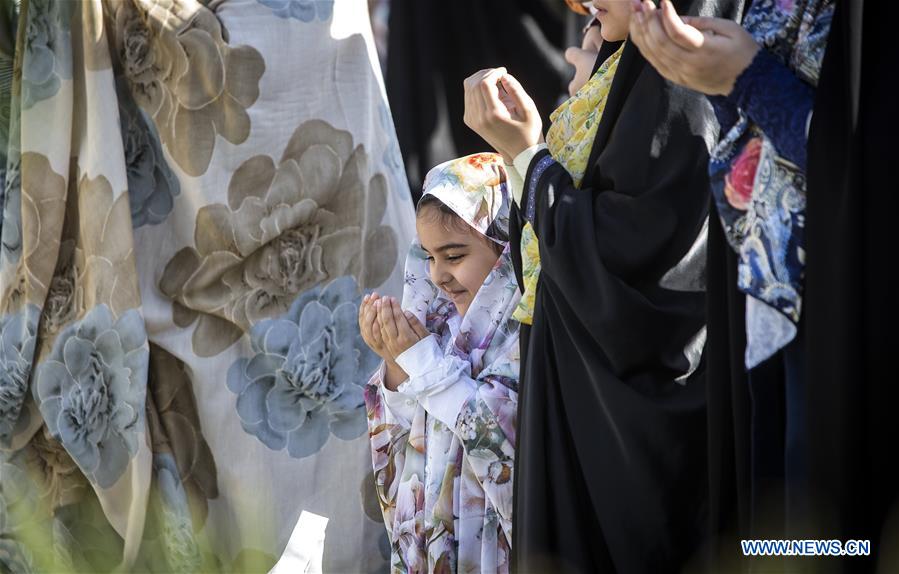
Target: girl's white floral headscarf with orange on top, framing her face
x=475, y=187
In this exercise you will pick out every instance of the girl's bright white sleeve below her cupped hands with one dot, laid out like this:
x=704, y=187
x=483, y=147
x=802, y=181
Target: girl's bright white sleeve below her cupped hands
x=441, y=384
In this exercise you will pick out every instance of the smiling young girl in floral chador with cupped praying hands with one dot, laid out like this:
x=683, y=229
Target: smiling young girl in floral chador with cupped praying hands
x=441, y=409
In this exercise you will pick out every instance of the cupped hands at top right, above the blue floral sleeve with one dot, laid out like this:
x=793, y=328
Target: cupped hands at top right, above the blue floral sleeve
x=703, y=54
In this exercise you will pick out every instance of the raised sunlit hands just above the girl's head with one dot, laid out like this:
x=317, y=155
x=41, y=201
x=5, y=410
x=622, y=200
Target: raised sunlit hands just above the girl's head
x=499, y=110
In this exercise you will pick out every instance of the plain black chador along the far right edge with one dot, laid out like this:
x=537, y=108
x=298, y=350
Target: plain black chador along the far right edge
x=850, y=313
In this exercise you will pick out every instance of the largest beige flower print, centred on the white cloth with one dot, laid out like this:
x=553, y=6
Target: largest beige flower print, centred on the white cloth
x=312, y=217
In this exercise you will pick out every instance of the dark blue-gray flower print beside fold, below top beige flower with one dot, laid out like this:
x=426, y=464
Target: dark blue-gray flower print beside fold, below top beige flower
x=152, y=186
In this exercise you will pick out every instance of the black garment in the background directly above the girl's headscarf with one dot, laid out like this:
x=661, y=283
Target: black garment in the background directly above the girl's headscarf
x=433, y=46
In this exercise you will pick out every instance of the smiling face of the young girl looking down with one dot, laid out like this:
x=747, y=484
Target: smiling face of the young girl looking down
x=458, y=259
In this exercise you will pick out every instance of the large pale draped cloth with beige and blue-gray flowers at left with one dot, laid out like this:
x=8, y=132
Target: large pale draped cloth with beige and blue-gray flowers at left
x=172, y=212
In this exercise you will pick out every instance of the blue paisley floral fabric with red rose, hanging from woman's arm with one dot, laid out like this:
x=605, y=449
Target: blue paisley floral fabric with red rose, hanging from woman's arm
x=756, y=169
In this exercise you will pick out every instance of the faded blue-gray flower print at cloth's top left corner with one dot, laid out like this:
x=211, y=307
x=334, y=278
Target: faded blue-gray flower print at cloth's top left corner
x=48, y=49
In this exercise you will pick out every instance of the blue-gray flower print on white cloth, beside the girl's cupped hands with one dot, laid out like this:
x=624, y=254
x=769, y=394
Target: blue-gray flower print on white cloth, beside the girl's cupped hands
x=307, y=373
